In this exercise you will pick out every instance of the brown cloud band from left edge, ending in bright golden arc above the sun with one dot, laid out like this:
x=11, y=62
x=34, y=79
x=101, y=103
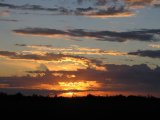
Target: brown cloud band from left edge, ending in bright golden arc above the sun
x=58, y=58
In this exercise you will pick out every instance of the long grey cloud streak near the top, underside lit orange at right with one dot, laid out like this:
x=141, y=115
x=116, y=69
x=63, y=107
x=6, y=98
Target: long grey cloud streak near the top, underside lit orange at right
x=111, y=11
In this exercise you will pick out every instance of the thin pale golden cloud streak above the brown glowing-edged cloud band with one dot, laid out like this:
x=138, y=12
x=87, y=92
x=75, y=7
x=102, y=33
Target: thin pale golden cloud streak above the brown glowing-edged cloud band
x=71, y=50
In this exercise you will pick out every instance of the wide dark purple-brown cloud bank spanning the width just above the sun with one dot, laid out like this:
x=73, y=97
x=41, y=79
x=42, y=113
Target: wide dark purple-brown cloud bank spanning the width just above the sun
x=136, y=78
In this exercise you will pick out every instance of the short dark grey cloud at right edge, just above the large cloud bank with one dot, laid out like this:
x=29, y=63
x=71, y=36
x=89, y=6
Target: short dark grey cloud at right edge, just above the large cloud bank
x=147, y=53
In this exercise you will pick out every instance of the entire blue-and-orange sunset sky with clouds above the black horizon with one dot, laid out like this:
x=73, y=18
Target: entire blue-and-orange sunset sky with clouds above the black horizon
x=80, y=47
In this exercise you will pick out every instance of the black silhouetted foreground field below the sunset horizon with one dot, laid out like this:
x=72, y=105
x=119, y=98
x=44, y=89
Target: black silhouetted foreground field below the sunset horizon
x=78, y=107
